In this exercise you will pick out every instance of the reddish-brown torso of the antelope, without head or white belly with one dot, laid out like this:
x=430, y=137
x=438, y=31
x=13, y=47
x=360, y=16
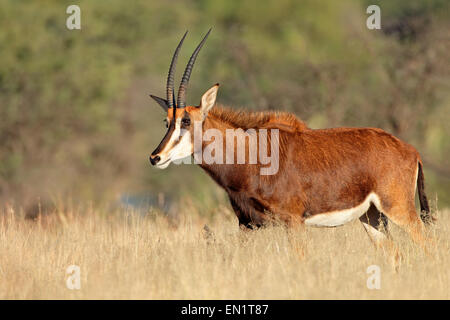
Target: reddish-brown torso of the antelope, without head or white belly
x=320, y=171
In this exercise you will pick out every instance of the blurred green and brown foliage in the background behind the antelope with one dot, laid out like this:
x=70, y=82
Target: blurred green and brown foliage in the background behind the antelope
x=75, y=117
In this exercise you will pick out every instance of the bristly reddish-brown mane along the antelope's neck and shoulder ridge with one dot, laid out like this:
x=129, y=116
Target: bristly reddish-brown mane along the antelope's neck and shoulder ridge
x=258, y=119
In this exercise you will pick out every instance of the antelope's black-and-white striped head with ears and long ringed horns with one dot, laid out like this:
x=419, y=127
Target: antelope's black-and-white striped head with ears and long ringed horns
x=178, y=142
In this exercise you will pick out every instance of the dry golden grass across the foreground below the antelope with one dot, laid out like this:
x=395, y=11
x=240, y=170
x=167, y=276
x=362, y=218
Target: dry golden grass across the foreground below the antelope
x=123, y=255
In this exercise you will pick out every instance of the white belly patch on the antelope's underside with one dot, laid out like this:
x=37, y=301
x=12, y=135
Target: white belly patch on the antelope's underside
x=337, y=218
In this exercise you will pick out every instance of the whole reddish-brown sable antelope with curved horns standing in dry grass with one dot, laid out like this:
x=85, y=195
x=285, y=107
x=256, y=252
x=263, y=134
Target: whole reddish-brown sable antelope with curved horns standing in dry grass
x=326, y=177
